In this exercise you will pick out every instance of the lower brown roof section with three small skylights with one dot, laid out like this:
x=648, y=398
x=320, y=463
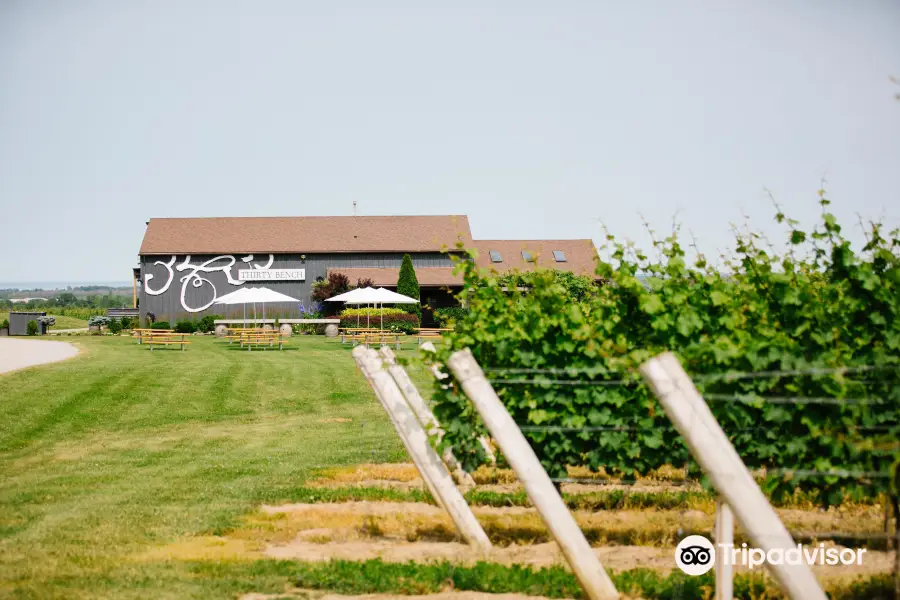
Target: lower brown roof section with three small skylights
x=580, y=255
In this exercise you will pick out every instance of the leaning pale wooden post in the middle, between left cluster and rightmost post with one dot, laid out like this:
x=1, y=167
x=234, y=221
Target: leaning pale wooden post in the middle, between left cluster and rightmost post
x=585, y=564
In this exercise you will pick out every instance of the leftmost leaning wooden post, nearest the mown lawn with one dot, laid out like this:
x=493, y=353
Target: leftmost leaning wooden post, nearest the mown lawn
x=413, y=435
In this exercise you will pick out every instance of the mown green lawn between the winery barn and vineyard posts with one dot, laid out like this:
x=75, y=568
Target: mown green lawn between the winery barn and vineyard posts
x=118, y=451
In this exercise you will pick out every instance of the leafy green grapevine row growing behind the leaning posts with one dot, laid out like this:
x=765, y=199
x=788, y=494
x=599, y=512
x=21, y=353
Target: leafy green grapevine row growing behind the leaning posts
x=818, y=305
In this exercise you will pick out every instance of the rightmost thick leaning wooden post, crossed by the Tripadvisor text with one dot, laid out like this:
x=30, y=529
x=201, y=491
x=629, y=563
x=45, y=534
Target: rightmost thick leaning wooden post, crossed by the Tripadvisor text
x=721, y=462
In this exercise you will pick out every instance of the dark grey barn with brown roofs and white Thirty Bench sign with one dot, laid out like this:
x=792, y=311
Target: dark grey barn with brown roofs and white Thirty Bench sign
x=186, y=264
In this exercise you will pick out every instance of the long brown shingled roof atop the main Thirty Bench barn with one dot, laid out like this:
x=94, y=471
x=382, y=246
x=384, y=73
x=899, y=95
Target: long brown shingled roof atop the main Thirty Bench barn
x=229, y=235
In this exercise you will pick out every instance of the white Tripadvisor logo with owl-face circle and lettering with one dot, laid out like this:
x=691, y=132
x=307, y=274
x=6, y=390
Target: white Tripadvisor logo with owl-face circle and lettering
x=696, y=555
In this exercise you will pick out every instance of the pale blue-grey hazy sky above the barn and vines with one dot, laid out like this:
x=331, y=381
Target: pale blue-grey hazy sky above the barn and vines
x=536, y=119
